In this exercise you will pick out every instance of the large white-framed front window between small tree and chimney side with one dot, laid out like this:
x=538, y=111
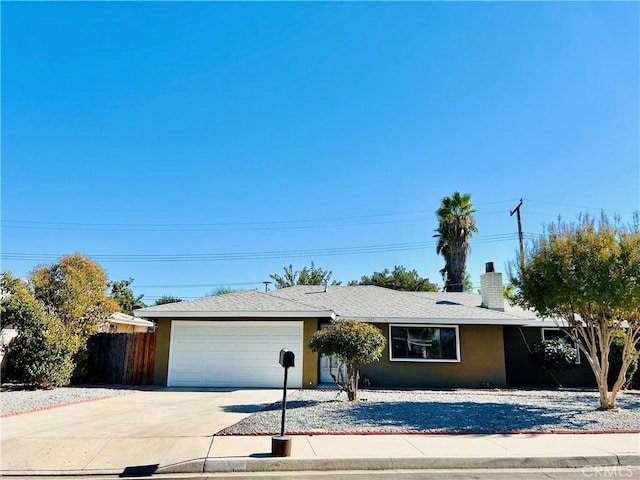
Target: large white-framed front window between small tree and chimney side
x=424, y=343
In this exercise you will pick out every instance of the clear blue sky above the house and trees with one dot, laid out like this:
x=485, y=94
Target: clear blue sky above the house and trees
x=196, y=145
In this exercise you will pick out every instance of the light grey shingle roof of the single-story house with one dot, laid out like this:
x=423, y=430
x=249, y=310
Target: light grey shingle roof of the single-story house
x=368, y=303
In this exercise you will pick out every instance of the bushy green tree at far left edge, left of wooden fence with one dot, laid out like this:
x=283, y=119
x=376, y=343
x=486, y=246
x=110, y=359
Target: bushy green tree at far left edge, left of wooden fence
x=43, y=353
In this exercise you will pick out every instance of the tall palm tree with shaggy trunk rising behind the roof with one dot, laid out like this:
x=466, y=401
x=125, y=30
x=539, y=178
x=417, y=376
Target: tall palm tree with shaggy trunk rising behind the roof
x=456, y=225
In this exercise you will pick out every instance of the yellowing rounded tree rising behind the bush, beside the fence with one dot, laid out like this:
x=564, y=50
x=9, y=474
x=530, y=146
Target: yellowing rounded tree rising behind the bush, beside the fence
x=74, y=289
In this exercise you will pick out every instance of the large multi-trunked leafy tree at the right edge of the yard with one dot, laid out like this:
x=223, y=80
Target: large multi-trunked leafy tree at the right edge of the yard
x=588, y=274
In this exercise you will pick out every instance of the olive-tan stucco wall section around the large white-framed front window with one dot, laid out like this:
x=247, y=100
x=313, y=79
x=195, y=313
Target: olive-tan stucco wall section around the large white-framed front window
x=481, y=360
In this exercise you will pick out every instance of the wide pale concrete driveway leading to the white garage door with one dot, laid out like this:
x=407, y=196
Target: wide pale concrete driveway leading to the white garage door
x=146, y=429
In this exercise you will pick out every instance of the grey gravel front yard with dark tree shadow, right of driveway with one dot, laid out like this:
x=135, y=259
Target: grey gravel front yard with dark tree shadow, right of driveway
x=478, y=411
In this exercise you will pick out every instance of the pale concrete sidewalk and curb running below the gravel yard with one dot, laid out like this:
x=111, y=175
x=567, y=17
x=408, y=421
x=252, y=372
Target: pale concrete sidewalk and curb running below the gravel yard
x=390, y=452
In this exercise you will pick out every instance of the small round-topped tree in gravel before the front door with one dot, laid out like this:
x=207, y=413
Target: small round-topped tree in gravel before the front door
x=354, y=343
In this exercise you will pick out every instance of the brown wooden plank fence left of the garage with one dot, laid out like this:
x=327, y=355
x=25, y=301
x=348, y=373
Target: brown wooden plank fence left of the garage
x=121, y=358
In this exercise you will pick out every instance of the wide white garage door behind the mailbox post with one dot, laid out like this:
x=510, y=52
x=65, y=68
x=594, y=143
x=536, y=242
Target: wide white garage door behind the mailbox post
x=233, y=354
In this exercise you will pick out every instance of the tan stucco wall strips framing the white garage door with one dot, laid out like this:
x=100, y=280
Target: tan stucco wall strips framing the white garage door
x=309, y=362
